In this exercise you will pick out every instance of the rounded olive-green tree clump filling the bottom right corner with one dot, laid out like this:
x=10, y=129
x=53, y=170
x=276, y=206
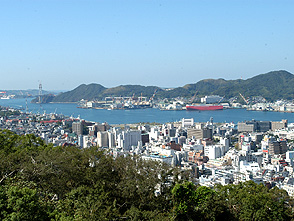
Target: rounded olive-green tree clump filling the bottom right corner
x=250, y=201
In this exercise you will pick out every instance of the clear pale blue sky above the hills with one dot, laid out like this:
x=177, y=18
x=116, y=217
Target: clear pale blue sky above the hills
x=165, y=43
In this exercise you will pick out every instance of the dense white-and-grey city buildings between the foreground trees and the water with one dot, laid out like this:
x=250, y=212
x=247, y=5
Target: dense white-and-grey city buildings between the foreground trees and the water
x=224, y=153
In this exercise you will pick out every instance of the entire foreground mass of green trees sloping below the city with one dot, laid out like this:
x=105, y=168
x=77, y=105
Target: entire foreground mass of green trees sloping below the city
x=42, y=182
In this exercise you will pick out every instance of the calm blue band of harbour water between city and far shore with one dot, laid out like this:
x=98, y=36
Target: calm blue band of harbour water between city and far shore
x=147, y=115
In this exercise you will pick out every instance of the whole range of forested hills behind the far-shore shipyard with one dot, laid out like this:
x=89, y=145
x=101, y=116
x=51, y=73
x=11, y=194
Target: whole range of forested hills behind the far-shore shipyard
x=272, y=86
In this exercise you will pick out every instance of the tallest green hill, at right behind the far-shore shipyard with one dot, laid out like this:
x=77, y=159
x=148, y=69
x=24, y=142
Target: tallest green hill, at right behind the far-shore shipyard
x=272, y=86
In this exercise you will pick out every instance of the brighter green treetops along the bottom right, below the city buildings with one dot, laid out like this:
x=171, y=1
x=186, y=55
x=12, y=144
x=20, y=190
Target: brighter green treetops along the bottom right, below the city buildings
x=245, y=201
